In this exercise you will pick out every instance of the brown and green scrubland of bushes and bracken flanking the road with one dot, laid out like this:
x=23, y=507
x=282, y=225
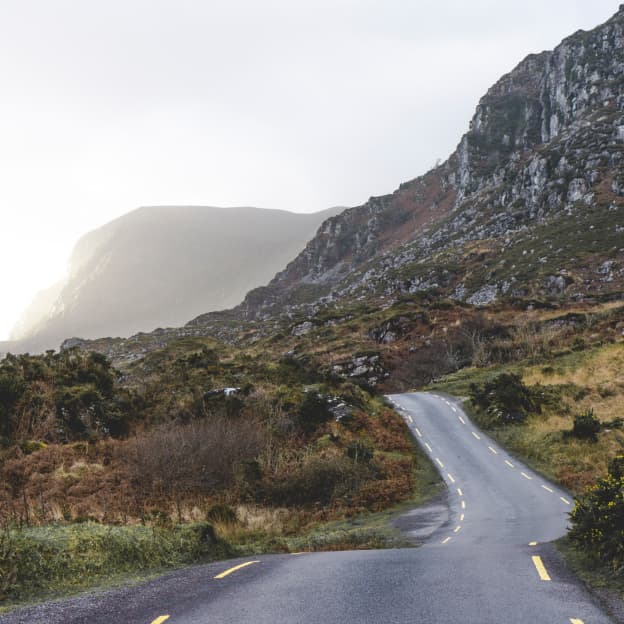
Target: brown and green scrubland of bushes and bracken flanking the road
x=277, y=439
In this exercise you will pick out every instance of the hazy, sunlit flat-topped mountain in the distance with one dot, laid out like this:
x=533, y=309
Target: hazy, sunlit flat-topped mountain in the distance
x=161, y=266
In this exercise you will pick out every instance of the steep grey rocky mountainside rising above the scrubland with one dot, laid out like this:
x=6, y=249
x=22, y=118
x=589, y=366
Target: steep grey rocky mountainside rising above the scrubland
x=535, y=184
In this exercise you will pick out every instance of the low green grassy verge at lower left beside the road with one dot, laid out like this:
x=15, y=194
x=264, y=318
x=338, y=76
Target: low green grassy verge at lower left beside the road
x=63, y=559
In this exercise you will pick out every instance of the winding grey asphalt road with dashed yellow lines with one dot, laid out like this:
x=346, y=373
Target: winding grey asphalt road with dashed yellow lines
x=489, y=562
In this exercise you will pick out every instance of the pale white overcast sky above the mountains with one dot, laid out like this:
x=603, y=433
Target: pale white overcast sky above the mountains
x=107, y=105
